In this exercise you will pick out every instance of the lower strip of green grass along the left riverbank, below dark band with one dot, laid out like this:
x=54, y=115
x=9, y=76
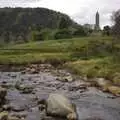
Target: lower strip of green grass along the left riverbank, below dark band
x=34, y=58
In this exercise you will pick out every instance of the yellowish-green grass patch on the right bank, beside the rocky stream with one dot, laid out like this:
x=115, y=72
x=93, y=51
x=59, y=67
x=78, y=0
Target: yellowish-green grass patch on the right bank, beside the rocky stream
x=98, y=67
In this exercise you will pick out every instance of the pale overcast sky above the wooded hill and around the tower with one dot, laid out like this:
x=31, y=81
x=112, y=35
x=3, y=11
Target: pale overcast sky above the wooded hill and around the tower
x=82, y=11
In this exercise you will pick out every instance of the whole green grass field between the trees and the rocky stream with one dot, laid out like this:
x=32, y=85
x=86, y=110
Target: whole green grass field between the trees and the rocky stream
x=86, y=56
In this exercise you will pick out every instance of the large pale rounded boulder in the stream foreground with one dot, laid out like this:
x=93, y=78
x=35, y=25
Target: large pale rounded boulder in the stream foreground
x=59, y=105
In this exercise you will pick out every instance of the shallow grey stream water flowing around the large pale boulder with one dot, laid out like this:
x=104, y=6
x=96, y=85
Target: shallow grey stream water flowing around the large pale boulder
x=92, y=104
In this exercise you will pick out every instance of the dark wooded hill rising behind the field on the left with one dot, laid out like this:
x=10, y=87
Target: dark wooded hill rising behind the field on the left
x=17, y=23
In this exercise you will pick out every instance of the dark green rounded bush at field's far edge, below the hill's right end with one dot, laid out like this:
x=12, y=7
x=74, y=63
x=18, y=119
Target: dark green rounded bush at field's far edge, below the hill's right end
x=62, y=34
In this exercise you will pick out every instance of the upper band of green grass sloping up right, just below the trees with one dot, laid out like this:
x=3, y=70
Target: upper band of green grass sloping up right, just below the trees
x=64, y=45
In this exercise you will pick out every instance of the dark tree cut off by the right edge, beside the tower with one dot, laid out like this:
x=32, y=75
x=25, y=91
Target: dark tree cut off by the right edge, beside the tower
x=116, y=26
